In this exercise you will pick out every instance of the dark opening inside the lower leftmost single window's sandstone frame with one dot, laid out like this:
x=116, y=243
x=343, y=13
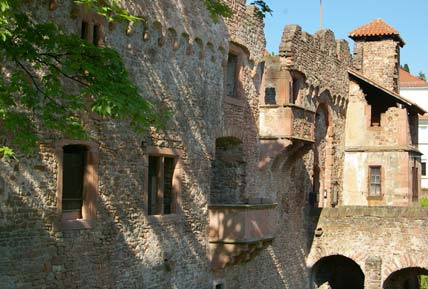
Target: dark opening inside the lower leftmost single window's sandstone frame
x=74, y=165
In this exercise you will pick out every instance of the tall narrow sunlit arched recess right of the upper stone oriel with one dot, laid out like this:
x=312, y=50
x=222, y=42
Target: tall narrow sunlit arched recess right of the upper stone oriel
x=323, y=157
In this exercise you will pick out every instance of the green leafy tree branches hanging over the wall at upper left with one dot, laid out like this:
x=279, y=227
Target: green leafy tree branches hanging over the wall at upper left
x=51, y=79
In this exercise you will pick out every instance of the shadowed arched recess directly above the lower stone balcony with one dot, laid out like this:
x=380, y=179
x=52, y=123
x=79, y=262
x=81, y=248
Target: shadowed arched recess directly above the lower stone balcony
x=228, y=171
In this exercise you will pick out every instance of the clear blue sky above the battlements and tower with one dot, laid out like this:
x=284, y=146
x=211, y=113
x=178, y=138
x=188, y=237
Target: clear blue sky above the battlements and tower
x=409, y=17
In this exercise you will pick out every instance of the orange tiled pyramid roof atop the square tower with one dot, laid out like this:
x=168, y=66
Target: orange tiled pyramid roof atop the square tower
x=375, y=29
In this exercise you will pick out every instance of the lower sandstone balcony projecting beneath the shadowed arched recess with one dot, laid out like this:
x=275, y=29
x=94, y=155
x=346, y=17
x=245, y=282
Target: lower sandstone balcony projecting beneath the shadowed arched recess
x=238, y=231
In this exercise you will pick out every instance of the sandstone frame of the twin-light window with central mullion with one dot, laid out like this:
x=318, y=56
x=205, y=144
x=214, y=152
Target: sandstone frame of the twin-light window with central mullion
x=161, y=152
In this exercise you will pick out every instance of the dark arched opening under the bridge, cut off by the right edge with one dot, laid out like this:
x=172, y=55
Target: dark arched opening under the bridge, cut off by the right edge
x=406, y=278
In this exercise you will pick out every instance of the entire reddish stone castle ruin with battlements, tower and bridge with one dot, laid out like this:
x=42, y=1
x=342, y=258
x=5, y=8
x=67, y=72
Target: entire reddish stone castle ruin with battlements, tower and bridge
x=293, y=171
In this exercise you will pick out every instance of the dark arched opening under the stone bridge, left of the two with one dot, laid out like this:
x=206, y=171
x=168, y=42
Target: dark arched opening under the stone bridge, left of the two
x=337, y=272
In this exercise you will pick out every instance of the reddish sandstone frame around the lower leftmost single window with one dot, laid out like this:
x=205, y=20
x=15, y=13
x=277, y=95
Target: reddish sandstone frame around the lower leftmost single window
x=90, y=186
